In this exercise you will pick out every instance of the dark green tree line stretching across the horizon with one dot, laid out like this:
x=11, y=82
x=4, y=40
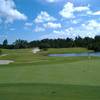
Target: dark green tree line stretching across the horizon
x=86, y=42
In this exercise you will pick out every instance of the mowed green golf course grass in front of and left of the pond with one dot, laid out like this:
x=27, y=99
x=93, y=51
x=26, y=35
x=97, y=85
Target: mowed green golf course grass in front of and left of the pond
x=38, y=77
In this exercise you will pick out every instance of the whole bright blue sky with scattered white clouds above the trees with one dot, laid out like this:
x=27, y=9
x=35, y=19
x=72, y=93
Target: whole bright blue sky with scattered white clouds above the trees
x=39, y=19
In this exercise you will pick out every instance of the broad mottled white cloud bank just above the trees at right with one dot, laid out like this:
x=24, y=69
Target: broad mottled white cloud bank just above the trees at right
x=88, y=29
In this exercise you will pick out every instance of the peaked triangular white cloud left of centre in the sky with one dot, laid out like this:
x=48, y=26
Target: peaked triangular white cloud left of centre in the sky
x=44, y=17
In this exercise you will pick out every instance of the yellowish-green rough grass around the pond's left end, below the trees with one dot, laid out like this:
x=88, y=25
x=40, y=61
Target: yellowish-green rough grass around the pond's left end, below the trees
x=26, y=55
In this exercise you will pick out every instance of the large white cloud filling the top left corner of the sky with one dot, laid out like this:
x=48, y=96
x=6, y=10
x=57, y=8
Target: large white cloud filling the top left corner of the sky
x=9, y=12
